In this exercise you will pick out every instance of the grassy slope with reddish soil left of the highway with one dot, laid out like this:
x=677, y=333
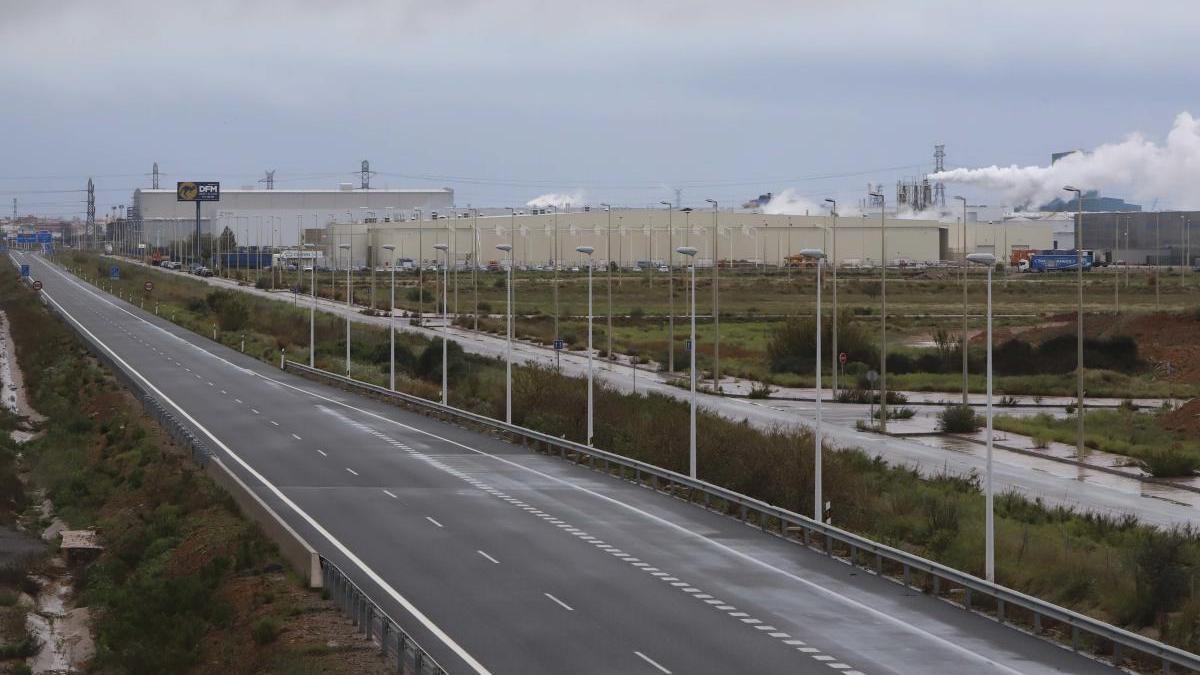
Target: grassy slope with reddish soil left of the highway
x=184, y=583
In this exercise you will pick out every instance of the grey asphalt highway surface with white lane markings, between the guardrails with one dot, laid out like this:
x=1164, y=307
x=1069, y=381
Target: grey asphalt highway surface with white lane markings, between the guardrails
x=499, y=560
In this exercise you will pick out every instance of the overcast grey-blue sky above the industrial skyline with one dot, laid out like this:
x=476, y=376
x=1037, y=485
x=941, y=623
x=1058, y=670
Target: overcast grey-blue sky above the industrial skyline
x=614, y=100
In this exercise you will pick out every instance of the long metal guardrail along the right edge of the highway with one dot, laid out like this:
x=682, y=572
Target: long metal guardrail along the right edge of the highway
x=1006, y=605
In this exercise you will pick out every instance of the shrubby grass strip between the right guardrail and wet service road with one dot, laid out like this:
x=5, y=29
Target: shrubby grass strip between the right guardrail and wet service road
x=1111, y=569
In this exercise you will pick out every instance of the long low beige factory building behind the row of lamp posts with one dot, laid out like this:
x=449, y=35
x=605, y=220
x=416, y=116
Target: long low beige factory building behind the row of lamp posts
x=645, y=236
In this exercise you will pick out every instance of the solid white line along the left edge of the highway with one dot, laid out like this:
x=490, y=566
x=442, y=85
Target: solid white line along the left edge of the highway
x=313, y=523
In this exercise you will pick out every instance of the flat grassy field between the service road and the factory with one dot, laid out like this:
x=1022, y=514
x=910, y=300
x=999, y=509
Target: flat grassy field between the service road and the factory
x=767, y=322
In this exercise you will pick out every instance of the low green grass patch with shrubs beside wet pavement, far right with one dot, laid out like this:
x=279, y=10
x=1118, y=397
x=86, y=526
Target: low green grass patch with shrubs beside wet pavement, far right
x=1137, y=435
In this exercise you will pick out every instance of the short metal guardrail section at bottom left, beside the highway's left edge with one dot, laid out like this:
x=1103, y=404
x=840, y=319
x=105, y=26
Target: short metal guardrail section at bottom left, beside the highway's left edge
x=375, y=624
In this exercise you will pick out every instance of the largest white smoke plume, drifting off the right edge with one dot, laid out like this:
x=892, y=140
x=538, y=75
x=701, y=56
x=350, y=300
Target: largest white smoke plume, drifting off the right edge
x=1136, y=169
